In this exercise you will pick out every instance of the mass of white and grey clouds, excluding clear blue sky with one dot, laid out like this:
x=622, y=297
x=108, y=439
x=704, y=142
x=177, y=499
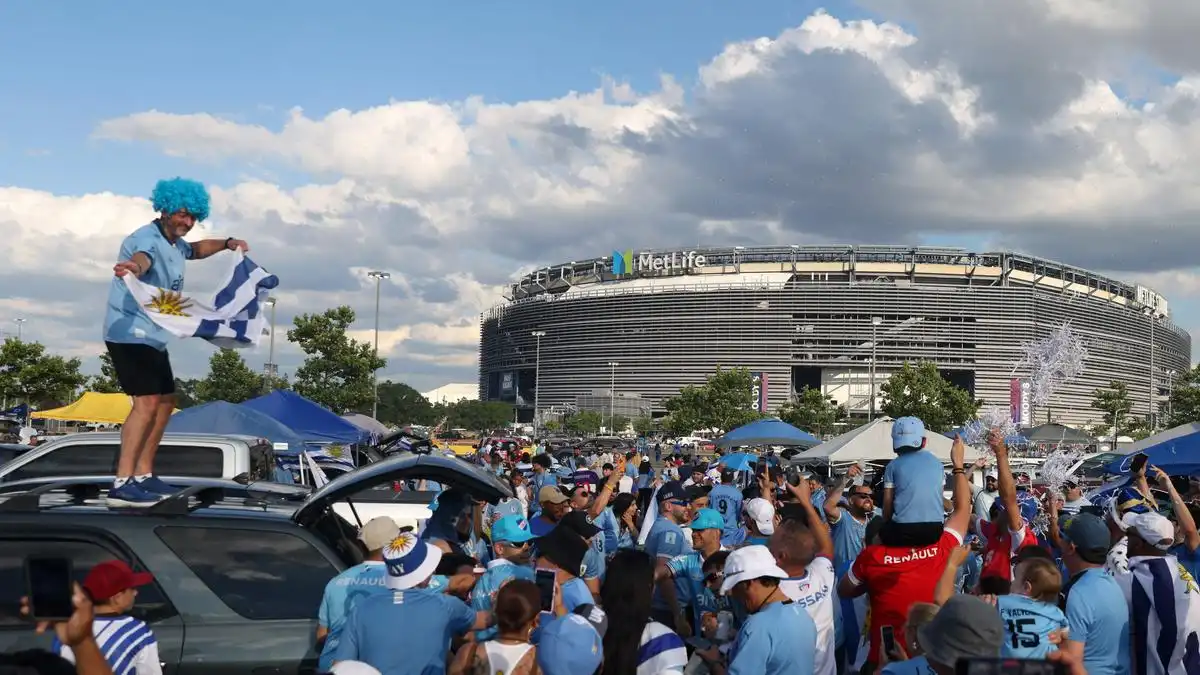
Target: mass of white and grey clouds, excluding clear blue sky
x=1000, y=122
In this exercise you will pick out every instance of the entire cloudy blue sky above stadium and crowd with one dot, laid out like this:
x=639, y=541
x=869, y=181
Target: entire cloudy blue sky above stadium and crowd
x=460, y=147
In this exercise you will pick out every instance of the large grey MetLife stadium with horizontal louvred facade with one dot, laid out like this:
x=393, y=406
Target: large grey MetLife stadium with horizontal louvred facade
x=626, y=332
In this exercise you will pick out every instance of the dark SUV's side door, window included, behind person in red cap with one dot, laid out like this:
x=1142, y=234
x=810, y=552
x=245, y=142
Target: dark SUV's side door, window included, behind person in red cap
x=86, y=549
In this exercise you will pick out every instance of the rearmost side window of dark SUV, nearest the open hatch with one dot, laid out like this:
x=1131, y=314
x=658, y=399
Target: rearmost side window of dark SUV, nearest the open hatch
x=260, y=575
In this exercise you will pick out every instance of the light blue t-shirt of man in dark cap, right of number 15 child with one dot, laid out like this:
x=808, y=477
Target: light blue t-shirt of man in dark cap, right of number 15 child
x=1099, y=617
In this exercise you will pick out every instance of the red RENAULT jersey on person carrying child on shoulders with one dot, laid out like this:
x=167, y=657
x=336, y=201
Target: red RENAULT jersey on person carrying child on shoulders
x=897, y=577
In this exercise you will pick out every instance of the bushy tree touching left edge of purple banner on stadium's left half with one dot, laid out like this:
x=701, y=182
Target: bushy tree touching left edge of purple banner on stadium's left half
x=725, y=402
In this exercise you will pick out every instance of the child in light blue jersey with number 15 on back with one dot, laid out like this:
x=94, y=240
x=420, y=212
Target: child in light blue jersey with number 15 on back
x=1031, y=617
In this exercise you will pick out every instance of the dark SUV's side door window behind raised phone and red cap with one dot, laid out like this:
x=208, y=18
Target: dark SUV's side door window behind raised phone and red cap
x=152, y=605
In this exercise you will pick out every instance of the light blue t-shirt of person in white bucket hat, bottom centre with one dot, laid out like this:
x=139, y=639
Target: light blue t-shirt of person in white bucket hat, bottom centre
x=782, y=640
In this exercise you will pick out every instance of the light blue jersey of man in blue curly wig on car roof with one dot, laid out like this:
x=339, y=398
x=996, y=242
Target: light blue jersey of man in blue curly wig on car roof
x=125, y=322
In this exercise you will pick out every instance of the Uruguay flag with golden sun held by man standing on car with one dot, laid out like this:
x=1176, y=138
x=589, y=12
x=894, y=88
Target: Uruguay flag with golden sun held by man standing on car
x=230, y=319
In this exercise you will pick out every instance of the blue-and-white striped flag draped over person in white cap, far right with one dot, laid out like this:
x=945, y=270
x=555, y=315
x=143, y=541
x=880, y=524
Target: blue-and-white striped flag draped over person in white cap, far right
x=1165, y=607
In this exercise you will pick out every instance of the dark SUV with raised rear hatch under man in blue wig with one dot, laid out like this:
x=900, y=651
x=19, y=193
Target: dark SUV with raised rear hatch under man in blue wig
x=239, y=571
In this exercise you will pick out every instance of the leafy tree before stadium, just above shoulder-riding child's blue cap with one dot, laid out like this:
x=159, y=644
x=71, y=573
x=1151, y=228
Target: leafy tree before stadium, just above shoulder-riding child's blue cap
x=922, y=392
